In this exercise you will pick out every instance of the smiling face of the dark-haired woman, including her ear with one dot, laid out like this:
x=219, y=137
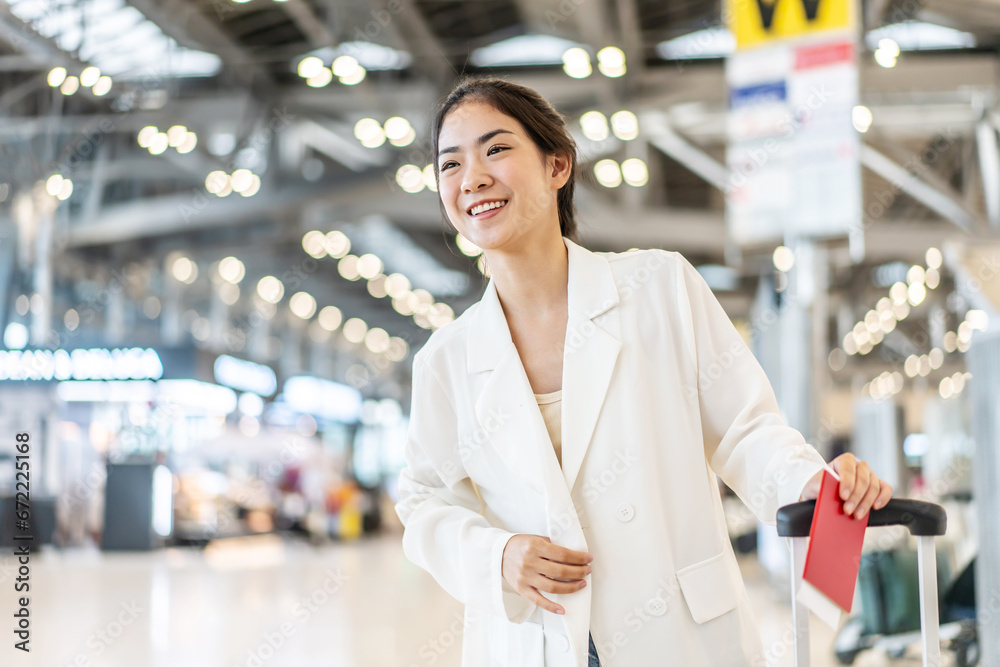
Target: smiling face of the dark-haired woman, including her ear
x=496, y=185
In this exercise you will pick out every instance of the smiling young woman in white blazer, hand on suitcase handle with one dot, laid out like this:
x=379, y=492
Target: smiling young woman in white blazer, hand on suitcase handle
x=566, y=430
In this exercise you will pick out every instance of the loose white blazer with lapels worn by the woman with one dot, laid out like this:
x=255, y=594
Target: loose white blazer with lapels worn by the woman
x=660, y=394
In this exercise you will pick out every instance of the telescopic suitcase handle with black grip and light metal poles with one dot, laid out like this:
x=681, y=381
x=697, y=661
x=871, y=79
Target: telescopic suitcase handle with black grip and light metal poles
x=924, y=521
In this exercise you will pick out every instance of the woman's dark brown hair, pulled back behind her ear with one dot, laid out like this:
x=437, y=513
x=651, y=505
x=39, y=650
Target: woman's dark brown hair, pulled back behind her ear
x=545, y=126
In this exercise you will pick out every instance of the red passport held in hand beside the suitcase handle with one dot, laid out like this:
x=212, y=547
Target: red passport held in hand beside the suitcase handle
x=834, y=553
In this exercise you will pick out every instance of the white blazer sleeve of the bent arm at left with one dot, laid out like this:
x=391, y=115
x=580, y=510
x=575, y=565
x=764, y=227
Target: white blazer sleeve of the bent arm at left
x=444, y=531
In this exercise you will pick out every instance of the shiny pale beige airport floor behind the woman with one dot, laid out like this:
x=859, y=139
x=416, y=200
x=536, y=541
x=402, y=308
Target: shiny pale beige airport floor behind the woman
x=273, y=603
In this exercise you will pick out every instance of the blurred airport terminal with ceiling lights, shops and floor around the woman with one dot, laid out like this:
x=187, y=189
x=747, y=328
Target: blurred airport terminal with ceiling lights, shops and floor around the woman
x=222, y=245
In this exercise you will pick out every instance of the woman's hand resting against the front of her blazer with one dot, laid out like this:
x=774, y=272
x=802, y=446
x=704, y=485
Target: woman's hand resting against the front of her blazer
x=531, y=563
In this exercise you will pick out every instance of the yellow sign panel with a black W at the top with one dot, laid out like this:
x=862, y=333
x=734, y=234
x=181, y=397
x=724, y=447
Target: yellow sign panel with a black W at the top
x=760, y=22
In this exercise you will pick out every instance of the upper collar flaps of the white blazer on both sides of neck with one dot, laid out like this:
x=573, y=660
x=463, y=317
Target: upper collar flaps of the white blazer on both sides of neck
x=592, y=291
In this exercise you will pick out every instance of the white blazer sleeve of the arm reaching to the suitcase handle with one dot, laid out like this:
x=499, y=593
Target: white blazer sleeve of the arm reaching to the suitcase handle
x=747, y=442
